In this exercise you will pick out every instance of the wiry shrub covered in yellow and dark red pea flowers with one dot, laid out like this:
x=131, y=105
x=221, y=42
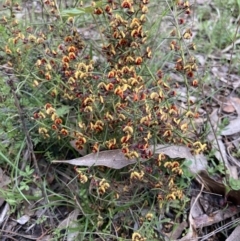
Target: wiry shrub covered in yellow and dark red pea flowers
x=116, y=103
